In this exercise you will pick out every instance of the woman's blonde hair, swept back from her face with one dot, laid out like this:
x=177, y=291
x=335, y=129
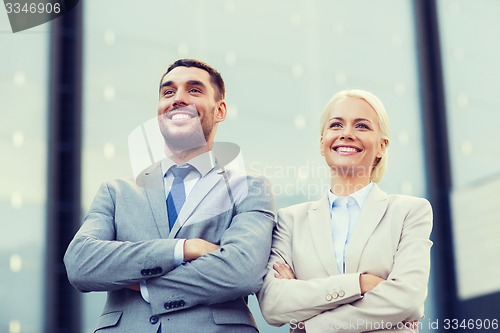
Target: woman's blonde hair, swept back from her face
x=380, y=167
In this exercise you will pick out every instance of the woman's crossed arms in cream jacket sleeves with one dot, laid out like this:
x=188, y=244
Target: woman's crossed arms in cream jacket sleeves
x=369, y=300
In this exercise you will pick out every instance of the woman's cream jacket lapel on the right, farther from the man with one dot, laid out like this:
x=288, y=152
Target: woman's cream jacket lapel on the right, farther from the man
x=371, y=214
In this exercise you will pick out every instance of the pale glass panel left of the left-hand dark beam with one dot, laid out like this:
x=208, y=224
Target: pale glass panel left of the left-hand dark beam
x=23, y=137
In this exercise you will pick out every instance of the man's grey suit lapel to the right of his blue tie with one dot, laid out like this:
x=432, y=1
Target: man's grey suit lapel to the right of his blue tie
x=197, y=194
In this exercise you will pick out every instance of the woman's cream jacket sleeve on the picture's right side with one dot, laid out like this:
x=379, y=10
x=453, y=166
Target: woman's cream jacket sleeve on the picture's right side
x=401, y=296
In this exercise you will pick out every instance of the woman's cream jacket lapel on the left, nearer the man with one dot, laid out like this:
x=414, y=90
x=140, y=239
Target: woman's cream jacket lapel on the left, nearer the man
x=321, y=230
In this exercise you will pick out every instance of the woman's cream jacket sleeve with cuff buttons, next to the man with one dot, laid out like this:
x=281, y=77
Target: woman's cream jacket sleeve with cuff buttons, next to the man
x=284, y=301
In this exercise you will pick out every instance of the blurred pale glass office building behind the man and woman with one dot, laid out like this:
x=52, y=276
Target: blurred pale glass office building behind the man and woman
x=282, y=61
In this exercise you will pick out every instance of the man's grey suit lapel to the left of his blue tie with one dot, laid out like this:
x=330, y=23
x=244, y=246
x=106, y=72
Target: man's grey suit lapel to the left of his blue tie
x=152, y=181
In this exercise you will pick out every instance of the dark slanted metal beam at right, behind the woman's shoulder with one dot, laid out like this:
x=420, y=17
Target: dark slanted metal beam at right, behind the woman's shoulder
x=437, y=154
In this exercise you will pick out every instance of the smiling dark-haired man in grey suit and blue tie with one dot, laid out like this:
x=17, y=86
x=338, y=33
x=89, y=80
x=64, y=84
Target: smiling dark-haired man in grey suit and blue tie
x=178, y=253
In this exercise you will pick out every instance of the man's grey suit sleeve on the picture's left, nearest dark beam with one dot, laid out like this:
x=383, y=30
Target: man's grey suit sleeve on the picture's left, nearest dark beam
x=96, y=261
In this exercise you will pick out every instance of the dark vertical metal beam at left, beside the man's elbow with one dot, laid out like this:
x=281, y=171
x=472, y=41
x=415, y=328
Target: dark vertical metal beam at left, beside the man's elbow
x=62, y=301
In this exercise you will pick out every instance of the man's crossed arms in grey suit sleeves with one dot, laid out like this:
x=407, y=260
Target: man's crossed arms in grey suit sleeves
x=212, y=273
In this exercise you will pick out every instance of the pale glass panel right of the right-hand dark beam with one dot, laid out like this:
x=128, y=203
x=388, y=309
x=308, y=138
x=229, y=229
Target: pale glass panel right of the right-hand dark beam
x=471, y=71
